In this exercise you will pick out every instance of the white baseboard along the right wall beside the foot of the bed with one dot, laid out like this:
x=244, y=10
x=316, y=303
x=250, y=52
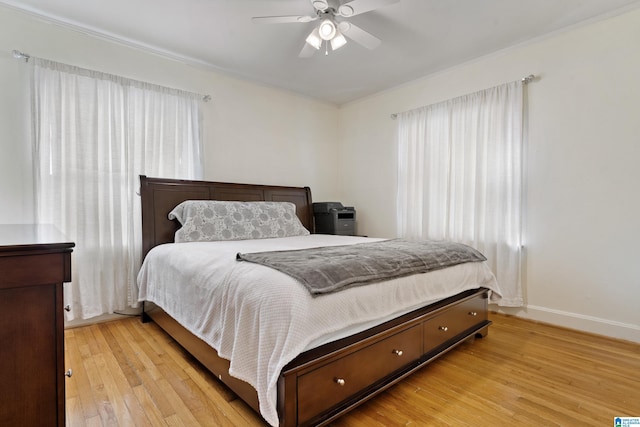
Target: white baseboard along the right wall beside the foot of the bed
x=595, y=325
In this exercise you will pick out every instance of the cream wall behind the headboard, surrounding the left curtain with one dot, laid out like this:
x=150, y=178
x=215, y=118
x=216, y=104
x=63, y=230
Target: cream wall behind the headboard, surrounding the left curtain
x=252, y=133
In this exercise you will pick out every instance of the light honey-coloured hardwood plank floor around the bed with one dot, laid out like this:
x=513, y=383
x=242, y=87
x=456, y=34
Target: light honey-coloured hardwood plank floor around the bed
x=126, y=373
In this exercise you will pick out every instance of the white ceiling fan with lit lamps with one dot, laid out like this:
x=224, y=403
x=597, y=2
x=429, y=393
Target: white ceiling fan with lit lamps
x=332, y=28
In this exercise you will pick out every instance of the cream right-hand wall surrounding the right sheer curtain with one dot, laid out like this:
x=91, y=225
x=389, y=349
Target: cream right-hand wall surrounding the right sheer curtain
x=583, y=202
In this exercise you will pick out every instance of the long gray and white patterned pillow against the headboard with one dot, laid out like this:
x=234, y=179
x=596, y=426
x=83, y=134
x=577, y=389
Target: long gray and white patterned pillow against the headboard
x=212, y=220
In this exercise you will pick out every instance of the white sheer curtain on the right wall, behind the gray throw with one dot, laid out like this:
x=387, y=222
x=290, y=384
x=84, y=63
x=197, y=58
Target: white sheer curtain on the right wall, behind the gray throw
x=460, y=177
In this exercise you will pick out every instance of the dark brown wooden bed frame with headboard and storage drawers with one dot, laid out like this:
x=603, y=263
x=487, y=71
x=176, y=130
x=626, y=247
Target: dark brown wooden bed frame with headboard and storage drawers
x=325, y=382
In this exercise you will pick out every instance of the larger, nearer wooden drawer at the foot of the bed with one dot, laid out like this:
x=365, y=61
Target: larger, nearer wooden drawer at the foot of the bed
x=328, y=385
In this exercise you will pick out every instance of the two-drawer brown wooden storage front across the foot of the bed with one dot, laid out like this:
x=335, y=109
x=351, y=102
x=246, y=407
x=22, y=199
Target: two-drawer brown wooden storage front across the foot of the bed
x=339, y=380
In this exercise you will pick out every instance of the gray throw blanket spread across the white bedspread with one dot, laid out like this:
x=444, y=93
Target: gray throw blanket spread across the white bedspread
x=333, y=268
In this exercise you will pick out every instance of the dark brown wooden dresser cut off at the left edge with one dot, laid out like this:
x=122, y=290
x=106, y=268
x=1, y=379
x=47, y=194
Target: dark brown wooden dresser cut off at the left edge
x=34, y=262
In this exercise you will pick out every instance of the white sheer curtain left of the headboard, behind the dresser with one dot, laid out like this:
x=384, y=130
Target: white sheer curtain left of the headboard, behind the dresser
x=94, y=134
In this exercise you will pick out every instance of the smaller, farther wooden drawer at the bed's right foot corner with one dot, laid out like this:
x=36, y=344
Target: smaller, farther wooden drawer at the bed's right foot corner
x=454, y=321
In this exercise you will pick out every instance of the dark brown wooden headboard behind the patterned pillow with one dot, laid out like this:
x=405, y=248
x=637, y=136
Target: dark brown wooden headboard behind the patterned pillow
x=159, y=196
